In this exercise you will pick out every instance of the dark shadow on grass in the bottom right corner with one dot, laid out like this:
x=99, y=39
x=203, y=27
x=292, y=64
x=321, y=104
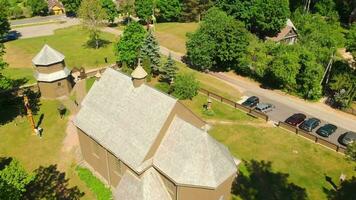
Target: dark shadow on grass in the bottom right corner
x=346, y=190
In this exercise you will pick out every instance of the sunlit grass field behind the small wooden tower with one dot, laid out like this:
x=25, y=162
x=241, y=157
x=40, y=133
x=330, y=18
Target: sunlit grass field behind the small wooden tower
x=70, y=41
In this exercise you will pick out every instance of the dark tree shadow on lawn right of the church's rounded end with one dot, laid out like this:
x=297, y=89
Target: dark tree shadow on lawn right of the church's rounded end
x=263, y=183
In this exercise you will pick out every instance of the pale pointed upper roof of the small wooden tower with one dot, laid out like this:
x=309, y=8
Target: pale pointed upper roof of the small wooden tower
x=47, y=56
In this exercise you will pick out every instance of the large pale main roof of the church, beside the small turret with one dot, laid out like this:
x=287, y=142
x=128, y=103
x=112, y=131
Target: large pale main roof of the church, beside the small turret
x=124, y=119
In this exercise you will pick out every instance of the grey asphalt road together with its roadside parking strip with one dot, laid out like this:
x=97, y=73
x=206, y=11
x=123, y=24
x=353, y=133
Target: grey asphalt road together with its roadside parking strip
x=287, y=106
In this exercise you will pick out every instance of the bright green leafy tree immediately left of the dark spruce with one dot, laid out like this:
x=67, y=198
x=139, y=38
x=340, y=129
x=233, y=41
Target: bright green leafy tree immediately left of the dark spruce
x=130, y=43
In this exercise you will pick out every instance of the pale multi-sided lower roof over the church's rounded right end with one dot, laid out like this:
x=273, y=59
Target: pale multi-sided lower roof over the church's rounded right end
x=190, y=156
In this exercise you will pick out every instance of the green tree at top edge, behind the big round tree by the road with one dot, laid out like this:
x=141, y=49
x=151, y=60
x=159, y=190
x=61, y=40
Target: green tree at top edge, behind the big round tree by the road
x=265, y=18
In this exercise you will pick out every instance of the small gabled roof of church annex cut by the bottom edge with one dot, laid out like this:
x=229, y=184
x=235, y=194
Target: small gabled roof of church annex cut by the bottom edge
x=149, y=187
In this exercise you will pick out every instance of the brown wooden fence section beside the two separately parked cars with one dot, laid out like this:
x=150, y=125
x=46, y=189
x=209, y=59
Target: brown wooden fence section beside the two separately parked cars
x=233, y=104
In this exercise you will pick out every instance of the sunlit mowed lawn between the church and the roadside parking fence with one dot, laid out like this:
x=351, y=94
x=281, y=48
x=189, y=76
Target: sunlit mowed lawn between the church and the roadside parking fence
x=250, y=139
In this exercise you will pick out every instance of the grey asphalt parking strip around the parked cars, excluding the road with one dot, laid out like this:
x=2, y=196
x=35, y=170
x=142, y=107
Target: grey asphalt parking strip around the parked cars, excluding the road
x=282, y=112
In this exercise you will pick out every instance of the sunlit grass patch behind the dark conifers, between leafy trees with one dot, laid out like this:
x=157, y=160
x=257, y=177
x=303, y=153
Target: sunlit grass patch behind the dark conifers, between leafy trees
x=173, y=35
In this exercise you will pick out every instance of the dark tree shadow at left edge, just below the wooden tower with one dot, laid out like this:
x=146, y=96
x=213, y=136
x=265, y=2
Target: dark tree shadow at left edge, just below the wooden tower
x=12, y=105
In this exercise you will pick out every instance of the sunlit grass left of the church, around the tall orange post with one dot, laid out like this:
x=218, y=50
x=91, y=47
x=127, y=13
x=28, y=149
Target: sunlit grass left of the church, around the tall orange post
x=18, y=142
